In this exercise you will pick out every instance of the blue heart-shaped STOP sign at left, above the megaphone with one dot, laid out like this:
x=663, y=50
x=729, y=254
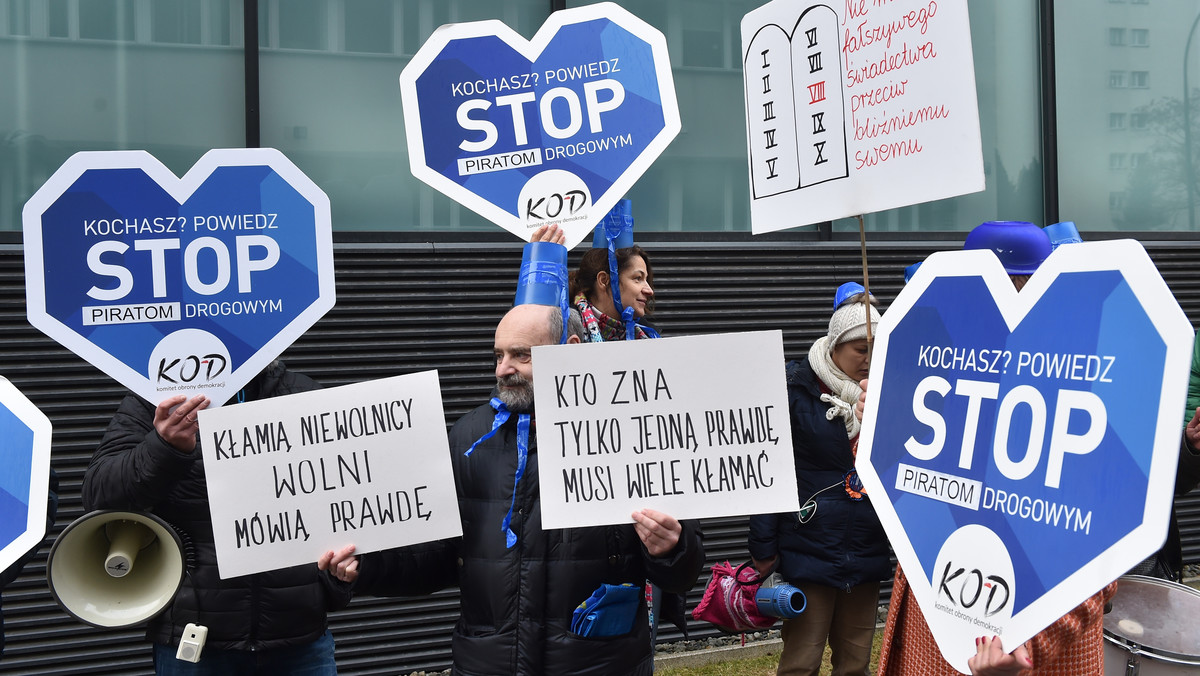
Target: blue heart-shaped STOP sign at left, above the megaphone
x=178, y=286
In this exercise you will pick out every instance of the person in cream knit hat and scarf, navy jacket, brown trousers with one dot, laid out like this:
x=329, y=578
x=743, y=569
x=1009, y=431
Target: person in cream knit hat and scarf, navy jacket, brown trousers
x=835, y=549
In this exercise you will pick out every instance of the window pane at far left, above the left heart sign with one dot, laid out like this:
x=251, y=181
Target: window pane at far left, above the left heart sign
x=175, y=104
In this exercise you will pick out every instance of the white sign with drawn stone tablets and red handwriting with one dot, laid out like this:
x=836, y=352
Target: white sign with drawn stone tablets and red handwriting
x=857, y=107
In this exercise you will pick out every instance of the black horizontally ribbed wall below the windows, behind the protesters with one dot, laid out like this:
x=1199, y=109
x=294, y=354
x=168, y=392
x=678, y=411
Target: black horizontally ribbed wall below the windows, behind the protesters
x=406, y=308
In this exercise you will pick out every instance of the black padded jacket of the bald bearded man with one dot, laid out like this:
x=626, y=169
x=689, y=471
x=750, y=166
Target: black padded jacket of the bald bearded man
x=518, y=603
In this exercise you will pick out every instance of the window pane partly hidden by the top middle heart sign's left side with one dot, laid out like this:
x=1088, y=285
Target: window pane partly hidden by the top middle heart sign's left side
x=317, y=52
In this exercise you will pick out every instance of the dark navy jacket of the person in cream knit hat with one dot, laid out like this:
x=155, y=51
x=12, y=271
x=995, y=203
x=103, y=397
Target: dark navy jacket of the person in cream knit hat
x=843, y=545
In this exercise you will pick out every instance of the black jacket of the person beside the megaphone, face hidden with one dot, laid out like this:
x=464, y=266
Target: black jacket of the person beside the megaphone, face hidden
x=136, y=470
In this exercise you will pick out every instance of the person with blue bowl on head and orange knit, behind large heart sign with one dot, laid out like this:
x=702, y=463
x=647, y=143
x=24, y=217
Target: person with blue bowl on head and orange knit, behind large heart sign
x=1075, y=644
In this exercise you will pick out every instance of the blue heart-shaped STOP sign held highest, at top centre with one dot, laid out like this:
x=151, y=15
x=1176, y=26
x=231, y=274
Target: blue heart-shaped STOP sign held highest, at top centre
x=549, y=131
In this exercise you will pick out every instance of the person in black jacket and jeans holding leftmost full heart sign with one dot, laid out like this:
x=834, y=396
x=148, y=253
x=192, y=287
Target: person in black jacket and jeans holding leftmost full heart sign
x=269, y=624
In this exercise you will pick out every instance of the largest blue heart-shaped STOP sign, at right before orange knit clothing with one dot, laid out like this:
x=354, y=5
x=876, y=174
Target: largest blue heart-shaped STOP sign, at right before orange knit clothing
x=1021, y=448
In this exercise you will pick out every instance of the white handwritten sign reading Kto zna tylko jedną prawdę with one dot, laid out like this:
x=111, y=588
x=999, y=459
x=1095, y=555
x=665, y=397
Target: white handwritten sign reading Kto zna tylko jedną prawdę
x=635, y=424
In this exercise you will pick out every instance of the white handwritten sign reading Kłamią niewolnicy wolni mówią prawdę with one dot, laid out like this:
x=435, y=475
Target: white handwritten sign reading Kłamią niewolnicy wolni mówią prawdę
x=293, y=477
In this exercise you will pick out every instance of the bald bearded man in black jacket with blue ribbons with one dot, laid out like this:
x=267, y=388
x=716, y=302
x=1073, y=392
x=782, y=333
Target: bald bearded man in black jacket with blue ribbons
x=520, y=584
